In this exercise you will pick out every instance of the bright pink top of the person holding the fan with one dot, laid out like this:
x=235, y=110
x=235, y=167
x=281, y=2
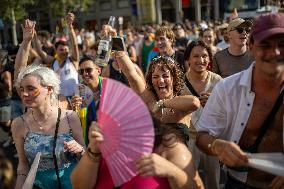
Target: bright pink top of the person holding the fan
x=104, y=181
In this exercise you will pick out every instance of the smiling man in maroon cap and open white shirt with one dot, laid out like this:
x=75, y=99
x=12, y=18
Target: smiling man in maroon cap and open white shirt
x=244, y=113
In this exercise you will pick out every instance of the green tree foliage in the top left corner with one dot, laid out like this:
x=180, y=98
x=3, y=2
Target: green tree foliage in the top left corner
x=6, y=7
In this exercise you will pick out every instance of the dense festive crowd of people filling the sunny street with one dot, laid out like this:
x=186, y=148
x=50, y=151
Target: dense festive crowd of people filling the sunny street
x=215, y=92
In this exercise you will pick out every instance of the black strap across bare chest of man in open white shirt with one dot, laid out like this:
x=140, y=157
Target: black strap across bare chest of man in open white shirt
x=267, y=122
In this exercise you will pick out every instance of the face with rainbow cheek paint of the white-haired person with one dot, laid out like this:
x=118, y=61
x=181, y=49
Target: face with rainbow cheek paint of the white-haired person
x=33, y=94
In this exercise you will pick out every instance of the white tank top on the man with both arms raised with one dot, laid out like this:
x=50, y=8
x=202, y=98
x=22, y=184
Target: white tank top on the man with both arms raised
x=68, y=77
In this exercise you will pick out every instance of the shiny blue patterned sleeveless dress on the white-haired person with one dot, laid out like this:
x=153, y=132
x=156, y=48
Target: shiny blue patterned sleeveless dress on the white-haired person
x=46, y=178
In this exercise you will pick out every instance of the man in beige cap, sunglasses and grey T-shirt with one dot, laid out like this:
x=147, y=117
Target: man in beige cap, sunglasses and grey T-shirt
x=236, y=57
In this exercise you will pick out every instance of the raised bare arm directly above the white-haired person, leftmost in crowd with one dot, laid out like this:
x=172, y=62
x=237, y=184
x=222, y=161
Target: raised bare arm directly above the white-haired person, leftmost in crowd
x=24, y=50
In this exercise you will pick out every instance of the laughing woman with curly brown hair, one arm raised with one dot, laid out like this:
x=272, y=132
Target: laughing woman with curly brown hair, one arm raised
x=163, y=89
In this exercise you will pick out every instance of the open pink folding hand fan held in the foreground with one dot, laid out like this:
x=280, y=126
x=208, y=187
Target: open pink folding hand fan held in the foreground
x=127, y=127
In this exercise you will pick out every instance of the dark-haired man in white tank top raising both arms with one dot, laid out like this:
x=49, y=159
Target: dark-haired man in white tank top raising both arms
x=64, y=65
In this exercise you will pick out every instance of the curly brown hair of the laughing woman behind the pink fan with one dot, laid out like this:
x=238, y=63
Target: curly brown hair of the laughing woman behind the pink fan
x=166, y=63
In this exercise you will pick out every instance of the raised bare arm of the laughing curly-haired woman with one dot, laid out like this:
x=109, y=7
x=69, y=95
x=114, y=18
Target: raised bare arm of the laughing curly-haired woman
x=137, y=83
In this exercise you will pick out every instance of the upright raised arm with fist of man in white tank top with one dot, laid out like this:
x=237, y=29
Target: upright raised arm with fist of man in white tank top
x=74, y=44
